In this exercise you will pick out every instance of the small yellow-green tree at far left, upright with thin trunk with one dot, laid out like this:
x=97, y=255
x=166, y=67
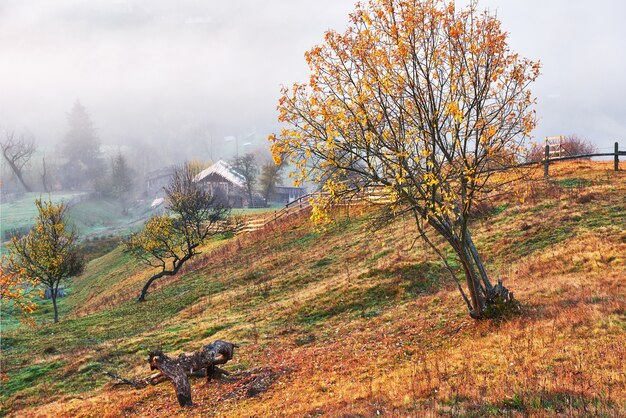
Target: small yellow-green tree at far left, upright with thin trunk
x=48, y=254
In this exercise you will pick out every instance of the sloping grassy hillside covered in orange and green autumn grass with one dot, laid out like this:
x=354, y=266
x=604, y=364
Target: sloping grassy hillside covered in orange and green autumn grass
x=349, y=322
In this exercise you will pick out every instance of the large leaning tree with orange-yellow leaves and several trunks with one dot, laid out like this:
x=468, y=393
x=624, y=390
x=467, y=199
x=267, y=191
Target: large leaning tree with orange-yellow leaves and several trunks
x=421, y=101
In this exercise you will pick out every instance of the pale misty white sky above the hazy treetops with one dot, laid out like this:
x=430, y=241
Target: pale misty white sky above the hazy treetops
x=156, y=70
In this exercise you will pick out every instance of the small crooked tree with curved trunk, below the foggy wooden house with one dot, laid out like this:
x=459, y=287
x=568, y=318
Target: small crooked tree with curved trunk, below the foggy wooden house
x=168, y=241
